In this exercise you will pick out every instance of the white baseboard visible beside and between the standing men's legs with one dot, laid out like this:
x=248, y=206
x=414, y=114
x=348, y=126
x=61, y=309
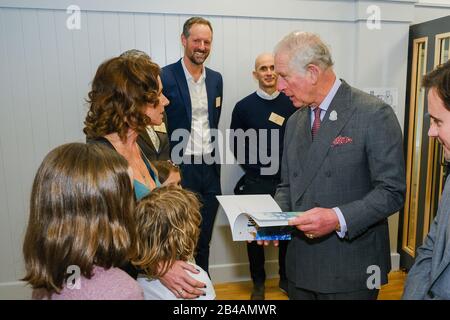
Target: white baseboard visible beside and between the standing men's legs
x=235, y=272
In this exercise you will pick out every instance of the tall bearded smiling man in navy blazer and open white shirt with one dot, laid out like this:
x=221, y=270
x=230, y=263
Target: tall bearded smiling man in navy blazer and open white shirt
x=195, y=95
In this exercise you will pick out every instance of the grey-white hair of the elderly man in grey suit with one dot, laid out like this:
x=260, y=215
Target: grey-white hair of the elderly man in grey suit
x=304, y=48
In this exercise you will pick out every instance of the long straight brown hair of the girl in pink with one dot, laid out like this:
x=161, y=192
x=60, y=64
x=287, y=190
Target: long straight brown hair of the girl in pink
x=81, y=210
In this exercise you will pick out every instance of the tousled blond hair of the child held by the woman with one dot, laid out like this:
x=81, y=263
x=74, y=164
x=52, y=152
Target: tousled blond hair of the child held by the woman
x=168, y=222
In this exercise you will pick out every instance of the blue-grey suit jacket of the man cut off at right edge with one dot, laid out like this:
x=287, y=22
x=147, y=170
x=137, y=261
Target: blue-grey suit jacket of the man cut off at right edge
x=429, y=278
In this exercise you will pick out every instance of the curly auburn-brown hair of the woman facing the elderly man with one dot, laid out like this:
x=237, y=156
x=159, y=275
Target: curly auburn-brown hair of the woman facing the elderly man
x=121, y=90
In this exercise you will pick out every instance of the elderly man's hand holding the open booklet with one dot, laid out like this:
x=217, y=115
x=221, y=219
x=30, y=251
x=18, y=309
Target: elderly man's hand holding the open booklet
x=316, y=222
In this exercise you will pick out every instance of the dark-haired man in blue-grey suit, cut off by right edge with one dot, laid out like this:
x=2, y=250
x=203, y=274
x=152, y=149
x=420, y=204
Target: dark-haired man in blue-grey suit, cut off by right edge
x=429, y=277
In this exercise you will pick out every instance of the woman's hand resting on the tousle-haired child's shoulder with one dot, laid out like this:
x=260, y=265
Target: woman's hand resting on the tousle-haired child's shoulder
x=181, y=283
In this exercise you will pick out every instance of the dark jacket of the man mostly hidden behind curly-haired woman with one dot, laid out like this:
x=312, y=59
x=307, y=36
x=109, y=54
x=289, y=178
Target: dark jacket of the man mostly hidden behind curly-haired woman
x=147, y=147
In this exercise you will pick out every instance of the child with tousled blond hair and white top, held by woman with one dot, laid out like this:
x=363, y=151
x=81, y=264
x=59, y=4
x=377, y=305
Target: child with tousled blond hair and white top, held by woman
x=168, y=222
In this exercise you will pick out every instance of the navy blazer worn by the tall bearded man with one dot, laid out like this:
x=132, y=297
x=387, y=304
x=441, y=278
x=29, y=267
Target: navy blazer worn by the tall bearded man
x=179, y=110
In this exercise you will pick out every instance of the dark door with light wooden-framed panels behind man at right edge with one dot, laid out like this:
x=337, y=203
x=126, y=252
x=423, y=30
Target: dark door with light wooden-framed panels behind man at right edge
x=425, y=168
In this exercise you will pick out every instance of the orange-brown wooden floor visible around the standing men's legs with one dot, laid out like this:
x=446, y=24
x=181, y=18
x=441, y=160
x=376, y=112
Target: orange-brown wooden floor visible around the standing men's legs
x=241, y=290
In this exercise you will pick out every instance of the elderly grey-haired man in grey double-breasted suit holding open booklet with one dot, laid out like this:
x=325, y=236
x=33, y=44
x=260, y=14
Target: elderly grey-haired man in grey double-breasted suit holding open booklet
x=343, y=166
